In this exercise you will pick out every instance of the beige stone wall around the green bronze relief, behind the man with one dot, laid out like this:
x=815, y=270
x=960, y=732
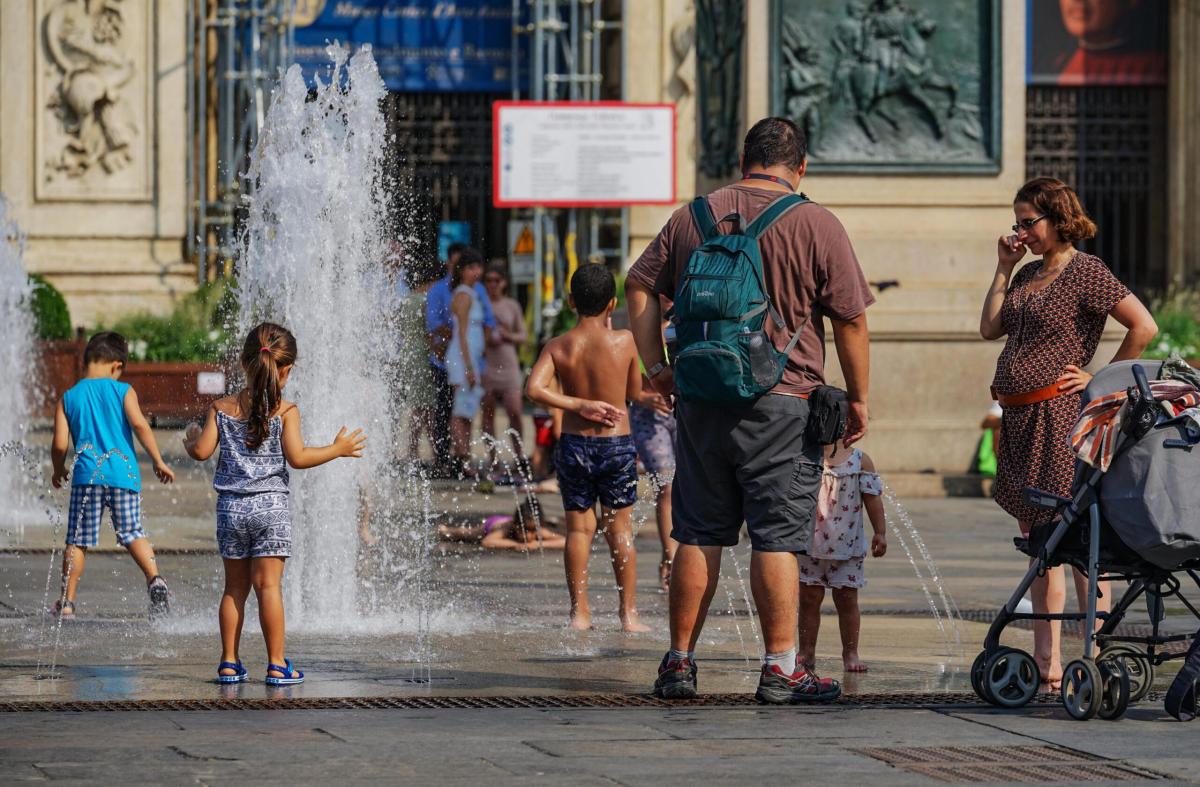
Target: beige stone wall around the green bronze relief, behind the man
x=933, y=235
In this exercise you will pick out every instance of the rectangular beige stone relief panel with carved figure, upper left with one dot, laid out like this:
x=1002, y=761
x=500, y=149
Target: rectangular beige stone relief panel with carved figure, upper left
x=94, y=121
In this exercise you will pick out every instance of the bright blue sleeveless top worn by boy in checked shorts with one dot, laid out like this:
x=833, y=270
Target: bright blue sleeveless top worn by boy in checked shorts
x=104, y=441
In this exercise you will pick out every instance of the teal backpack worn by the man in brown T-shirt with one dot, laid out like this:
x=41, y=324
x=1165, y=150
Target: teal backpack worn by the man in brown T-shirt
x=723, y=355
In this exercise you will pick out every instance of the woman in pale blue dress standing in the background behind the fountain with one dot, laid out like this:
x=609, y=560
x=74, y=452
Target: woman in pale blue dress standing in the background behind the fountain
x=465, y=357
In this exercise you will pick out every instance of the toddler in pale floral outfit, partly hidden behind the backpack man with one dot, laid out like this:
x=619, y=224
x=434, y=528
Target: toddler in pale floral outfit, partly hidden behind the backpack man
x=836, y=558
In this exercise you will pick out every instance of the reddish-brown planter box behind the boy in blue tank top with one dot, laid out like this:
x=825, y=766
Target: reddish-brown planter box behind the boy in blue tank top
x=166, y=391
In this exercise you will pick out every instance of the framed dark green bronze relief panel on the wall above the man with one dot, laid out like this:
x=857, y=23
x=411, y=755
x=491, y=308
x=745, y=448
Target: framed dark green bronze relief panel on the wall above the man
x=891, y=83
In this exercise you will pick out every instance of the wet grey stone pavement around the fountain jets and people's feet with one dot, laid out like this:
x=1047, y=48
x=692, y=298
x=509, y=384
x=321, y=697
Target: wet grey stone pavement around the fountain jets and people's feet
x=493, y=626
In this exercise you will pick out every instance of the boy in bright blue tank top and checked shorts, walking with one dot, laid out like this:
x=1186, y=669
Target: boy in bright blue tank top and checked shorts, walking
x=101, y=416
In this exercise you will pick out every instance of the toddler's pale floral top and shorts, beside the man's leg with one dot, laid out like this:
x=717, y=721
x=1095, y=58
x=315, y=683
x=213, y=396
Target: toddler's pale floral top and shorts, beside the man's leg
x=839, y=542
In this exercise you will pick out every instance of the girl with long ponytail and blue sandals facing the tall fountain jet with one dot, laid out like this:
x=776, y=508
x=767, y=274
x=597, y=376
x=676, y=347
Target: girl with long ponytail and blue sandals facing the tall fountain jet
x=259, y=434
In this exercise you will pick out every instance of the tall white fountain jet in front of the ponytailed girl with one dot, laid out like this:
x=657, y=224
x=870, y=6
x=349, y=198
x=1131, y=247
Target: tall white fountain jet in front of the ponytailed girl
x=313, y=259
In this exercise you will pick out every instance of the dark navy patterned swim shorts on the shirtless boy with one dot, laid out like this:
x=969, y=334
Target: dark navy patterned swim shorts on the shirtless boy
x=591, y=468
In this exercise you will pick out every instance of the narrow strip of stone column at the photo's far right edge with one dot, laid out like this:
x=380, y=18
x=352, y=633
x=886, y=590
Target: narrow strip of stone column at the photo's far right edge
x=1184, y=145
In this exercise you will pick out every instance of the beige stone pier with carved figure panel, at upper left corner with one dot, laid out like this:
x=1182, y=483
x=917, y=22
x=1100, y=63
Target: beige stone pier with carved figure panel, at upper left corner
x=93, y=148
